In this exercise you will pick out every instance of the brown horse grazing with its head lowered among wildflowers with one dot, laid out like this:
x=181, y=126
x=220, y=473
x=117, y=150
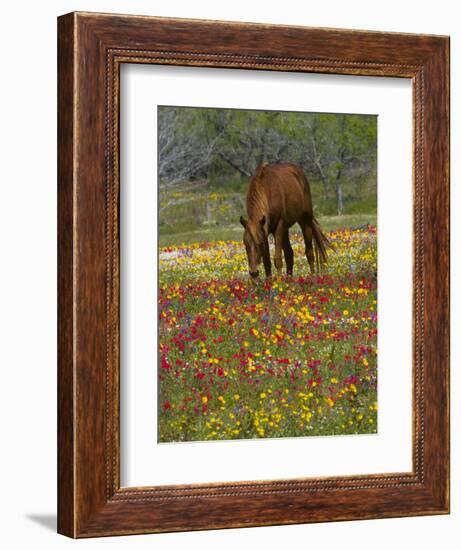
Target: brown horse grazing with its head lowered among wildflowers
x=279, y=196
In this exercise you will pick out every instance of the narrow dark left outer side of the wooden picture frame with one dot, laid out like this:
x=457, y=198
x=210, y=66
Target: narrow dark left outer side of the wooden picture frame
x=66, y=298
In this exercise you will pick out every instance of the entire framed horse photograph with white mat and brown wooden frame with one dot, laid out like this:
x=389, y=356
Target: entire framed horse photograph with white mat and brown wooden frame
x=253, y=259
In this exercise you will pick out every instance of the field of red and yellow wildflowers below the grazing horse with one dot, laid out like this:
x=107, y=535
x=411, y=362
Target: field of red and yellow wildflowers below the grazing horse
x=290, y=357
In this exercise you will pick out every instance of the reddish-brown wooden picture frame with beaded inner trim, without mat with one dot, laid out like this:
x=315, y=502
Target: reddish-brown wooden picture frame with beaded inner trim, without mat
x=91, y=48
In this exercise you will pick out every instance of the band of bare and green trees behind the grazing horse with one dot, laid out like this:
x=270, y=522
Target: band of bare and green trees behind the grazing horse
x=204, y=143
